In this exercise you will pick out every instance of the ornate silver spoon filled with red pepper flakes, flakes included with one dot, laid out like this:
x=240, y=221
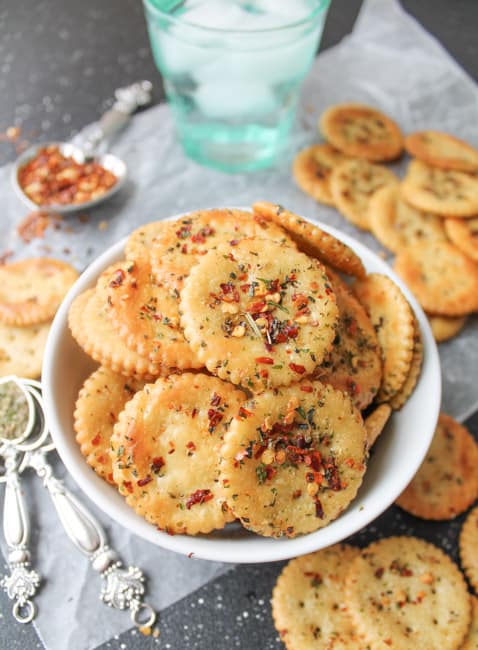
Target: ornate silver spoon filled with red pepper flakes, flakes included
x=66, y=177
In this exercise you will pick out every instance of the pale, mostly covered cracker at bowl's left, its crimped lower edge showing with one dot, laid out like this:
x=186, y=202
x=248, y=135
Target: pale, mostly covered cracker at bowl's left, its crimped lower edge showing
x=93, y=331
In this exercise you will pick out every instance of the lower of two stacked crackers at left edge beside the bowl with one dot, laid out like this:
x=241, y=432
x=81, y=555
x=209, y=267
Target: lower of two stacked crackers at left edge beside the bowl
x=21, y=349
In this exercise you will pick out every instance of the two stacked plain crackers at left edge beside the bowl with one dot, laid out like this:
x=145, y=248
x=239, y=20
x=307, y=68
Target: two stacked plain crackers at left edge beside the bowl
x=30, y=293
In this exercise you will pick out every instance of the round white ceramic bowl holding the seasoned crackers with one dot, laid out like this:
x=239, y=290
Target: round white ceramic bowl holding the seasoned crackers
x=395, y=459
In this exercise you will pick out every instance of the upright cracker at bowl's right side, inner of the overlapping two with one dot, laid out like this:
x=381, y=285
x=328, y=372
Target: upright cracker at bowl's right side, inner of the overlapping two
x=393, y=321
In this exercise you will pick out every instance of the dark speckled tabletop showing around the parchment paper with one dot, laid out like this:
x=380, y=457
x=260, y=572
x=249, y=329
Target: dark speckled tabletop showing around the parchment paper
x=60, y=61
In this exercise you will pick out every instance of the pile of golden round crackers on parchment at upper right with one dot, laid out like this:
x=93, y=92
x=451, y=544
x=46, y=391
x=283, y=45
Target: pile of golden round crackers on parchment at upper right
x=429, y=220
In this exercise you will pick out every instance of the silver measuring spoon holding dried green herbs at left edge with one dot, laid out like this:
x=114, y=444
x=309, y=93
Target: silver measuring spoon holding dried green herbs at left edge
x=17, y=425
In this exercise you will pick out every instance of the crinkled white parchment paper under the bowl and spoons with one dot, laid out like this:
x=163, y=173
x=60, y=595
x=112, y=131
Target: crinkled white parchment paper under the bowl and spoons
x=388, y=61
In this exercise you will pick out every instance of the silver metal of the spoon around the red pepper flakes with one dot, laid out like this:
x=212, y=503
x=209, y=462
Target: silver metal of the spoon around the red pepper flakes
x=87, y=148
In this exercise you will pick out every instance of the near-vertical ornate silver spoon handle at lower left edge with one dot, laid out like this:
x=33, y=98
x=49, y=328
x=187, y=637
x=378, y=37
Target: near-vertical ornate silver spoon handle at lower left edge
x=22, y=582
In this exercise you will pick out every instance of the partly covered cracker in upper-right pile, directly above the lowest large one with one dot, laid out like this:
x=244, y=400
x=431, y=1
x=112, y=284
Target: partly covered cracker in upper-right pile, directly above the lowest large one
x=397, y=224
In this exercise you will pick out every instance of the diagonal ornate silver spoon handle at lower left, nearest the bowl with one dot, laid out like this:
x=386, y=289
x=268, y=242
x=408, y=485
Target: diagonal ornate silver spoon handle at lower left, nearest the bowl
x=122, y=588
